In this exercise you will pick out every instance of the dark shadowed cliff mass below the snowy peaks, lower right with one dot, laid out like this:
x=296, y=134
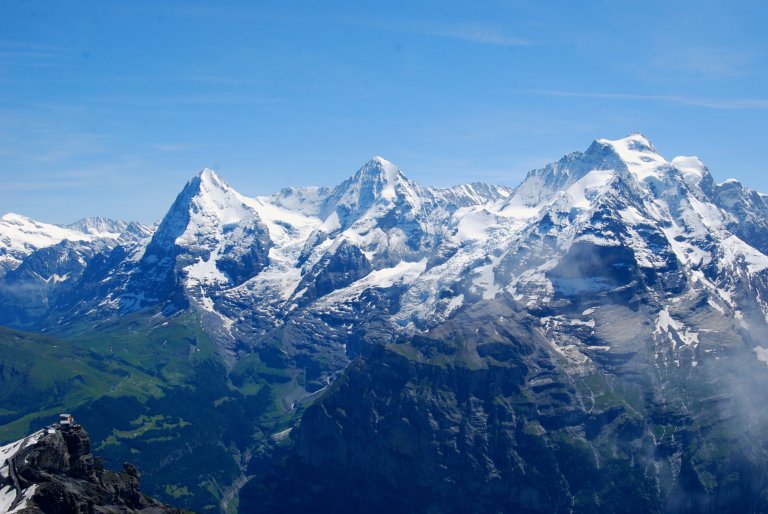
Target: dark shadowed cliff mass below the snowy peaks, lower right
x=480, y=416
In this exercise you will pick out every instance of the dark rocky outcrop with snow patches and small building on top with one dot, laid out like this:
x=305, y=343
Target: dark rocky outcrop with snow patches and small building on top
x=53, y=471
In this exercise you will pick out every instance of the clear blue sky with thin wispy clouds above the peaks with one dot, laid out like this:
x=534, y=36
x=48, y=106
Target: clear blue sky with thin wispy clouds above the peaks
x=108, y=107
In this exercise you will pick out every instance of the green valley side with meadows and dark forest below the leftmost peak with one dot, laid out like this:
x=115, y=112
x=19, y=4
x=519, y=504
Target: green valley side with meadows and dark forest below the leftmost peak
x=151, y=390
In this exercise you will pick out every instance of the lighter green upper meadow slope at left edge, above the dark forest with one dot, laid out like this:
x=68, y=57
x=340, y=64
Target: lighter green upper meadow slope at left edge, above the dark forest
x=136, y=357
